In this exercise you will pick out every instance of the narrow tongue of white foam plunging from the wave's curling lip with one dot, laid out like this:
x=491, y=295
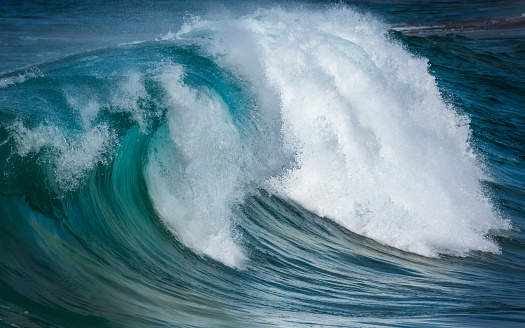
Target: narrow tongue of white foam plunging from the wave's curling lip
x=194, y=170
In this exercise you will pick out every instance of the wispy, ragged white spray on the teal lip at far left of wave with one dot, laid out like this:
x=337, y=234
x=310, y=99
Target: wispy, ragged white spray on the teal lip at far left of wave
x=74, y=153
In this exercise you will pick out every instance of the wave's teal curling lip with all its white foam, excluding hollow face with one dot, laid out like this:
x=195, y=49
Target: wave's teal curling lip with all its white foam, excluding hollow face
x=320, y=108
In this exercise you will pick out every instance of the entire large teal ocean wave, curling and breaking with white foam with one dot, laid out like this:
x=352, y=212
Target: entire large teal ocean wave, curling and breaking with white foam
x=227, y=141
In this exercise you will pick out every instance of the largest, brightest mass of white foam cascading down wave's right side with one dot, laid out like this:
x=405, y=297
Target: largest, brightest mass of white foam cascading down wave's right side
x=376, y=148
